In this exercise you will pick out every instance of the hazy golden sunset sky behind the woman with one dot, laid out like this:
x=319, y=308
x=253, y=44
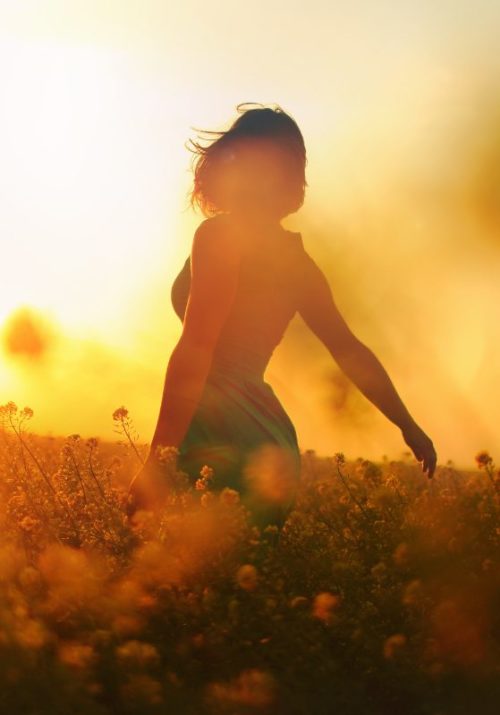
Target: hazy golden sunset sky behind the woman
x=399, y=106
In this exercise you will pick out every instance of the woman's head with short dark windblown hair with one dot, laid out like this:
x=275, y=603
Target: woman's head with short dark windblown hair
x=256, y=167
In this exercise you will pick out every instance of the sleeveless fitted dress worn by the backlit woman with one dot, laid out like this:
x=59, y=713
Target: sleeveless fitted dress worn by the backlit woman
x=240, y=428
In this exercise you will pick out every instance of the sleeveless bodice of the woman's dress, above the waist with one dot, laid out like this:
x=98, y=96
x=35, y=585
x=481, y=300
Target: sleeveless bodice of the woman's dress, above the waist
x=265, y=301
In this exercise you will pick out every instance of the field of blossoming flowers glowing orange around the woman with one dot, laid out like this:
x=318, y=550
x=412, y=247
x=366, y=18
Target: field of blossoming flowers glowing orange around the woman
x=380, y=595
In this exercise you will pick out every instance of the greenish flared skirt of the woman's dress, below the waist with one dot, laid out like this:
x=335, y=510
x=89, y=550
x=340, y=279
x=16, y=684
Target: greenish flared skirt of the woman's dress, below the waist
x=241, y=430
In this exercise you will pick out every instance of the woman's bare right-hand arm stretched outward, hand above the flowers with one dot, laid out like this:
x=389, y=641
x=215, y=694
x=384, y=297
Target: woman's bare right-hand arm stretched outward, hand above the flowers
x=319, y=311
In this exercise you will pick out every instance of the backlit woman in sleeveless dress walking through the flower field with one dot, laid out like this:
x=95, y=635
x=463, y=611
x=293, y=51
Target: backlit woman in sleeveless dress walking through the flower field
x=244, y=280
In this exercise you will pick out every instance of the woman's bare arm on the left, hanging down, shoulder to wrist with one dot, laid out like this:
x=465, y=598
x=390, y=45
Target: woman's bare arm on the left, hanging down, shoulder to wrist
x=214, y=269
